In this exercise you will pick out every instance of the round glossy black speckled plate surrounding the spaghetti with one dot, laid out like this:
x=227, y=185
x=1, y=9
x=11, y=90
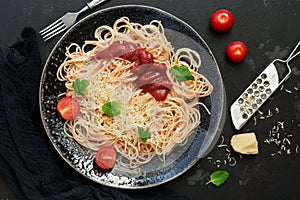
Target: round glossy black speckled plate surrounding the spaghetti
x=154, y=173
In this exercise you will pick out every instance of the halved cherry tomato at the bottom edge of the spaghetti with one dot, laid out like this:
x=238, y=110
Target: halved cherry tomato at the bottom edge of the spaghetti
x=106, y=157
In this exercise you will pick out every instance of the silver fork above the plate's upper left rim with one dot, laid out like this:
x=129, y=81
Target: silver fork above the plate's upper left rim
x=66, y=21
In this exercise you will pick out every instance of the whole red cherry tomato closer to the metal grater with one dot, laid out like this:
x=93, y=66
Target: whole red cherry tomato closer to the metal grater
x=236, y=51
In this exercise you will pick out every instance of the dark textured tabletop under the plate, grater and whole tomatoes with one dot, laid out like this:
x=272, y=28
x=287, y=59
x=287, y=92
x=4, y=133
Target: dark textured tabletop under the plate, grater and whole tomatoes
x=270, y=28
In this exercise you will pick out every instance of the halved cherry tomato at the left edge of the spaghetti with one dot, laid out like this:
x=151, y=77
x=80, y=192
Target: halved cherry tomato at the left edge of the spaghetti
x=68, y=108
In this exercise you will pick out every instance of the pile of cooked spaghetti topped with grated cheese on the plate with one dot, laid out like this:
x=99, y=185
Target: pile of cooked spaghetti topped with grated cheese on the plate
x=170, y=122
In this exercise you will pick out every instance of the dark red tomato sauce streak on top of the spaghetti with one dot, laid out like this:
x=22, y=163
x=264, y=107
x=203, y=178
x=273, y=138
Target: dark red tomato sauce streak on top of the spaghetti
x=152, y=76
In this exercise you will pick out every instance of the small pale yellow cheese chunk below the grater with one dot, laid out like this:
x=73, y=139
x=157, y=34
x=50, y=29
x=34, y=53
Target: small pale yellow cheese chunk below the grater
x=244, y=143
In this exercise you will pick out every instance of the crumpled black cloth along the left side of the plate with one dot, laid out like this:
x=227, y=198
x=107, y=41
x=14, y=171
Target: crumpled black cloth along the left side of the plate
x=28, y=161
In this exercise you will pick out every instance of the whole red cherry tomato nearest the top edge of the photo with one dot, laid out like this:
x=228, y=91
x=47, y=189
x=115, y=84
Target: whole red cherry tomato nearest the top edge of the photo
x=222, y=20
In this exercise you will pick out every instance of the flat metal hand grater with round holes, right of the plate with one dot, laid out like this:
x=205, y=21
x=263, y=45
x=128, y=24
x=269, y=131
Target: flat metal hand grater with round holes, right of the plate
x=261, y=89
